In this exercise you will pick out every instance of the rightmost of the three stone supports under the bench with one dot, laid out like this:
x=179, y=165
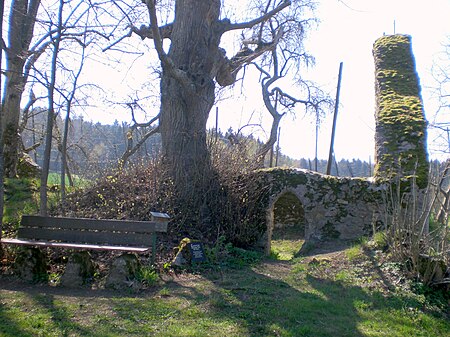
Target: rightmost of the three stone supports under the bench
x=123, y=272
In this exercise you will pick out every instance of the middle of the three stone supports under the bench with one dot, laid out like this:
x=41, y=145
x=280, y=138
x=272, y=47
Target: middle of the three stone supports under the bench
x=79, y=270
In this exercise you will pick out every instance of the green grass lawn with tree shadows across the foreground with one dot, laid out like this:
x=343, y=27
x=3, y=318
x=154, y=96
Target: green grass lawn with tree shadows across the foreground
x=341, y=293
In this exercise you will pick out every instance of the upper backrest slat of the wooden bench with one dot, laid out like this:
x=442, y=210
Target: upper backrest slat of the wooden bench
x=94, y=224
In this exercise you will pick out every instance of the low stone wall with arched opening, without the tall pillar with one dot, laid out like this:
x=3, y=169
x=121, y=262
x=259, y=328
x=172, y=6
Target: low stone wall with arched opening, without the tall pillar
x=334, y=207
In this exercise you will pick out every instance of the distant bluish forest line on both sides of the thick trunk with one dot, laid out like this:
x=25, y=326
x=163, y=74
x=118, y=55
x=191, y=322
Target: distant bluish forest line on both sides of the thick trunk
x=95, y=147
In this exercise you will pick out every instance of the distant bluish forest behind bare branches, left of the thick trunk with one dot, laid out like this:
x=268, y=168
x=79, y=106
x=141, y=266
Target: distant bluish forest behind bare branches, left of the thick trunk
x=92, y=147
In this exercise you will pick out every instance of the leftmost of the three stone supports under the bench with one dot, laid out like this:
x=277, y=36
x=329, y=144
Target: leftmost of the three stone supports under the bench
x=31, y=264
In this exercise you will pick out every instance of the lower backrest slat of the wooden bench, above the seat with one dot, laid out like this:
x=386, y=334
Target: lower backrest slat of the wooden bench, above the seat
x=85, y=236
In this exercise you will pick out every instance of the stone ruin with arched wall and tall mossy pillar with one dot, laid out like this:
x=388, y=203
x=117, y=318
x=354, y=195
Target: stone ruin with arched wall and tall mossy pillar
x=349, y=208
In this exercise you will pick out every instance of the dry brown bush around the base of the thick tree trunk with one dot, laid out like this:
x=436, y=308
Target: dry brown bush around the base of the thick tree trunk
x=228, y=206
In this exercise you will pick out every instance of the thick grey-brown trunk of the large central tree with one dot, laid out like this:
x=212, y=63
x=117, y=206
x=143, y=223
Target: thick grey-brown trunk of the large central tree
x=185, y=108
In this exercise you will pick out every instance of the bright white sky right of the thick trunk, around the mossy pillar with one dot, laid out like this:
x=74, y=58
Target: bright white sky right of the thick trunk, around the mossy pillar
x=346, y=33
